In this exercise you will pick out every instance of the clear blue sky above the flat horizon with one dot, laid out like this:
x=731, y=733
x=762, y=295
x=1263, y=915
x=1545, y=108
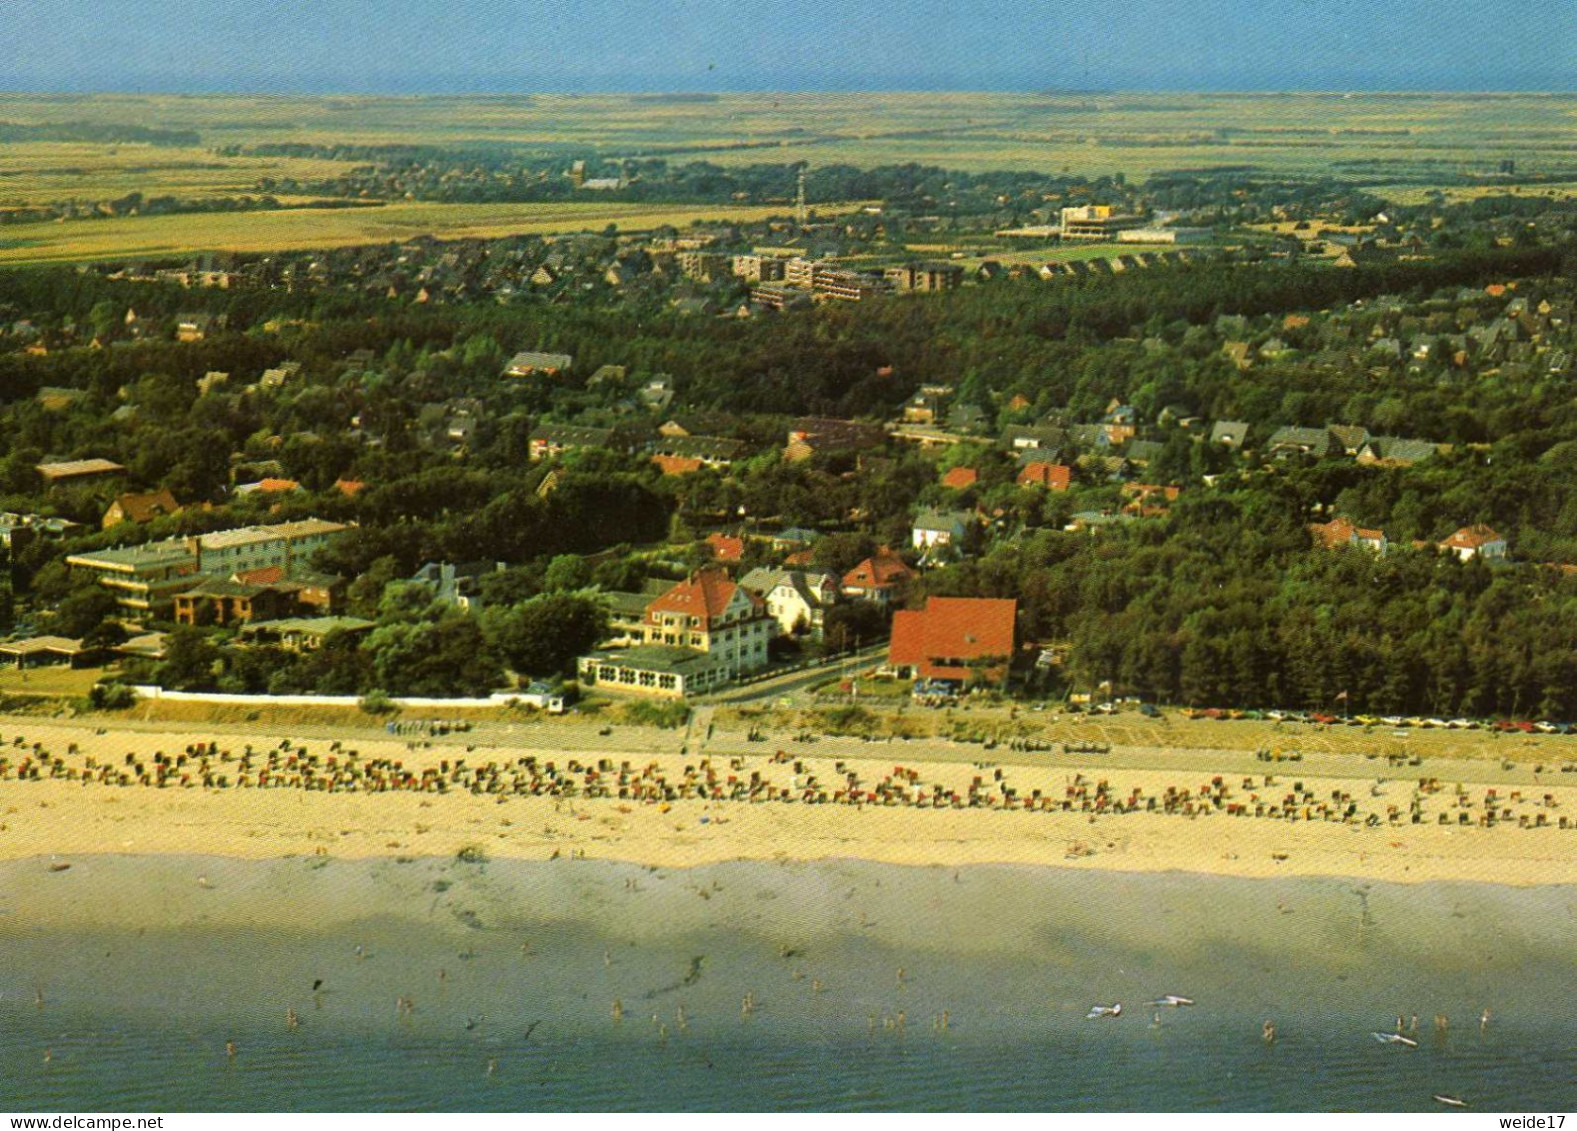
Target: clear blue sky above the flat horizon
x=529, y=47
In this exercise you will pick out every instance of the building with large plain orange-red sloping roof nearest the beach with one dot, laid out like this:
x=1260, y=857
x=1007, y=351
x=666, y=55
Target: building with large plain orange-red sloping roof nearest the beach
x=955, y=641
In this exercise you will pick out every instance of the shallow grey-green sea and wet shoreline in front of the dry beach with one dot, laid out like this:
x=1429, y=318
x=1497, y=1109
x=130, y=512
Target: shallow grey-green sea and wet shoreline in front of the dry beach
x=830, y=987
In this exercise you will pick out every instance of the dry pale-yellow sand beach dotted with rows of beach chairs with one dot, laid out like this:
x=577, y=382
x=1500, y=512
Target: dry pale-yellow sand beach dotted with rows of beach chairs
x=923, y=804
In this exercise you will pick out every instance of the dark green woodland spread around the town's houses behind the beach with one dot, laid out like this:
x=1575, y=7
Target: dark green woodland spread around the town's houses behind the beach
x=1221, y=600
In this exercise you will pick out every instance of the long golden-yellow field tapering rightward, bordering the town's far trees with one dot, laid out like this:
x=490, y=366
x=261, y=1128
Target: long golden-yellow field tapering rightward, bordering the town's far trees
x=151, y=237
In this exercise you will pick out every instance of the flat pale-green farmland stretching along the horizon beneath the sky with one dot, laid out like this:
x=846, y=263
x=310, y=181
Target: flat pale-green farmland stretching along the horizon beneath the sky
x=1092, y=135
